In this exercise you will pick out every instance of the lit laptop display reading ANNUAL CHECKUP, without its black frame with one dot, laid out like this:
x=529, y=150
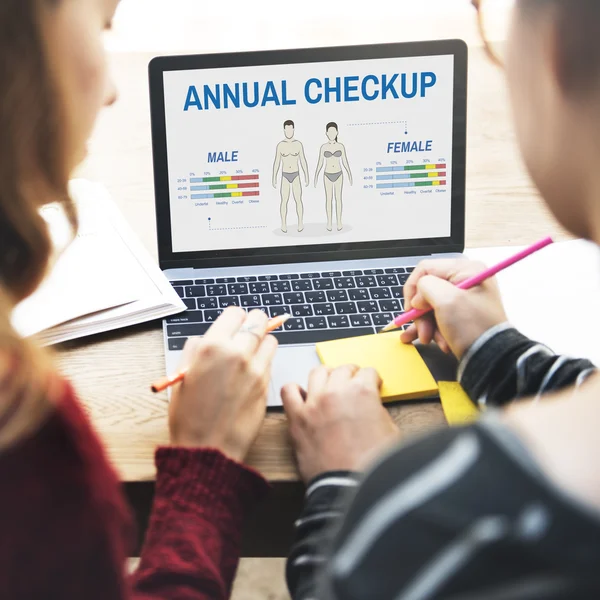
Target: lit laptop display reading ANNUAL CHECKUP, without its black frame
x=310, y=153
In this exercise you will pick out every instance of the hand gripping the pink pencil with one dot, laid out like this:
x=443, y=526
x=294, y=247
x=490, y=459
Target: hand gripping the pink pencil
x=460, y=317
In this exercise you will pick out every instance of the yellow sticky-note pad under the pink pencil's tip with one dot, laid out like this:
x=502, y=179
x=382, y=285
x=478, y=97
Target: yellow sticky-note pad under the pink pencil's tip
x=404, y=373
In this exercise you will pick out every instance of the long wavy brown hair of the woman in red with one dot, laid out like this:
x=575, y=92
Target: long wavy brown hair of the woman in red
x=33, y=171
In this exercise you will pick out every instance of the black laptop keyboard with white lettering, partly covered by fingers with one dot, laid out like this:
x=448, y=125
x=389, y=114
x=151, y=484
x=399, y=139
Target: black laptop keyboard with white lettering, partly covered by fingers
x=324, y=305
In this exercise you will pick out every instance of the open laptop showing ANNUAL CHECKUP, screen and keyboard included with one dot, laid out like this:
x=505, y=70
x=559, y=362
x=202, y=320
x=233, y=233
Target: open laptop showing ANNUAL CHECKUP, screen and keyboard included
x=306, y=181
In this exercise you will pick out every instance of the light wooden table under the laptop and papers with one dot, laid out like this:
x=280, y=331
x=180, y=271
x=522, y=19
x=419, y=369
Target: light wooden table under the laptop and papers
x=111, y=372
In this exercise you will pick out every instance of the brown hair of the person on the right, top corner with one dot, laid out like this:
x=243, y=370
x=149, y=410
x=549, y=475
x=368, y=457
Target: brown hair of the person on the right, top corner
x=578, y=35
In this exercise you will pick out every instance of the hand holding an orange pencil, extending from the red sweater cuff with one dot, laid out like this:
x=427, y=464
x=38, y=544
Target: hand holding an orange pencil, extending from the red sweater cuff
x=222, y=400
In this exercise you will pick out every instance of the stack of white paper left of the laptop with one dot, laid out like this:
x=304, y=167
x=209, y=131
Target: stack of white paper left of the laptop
x=105, y=279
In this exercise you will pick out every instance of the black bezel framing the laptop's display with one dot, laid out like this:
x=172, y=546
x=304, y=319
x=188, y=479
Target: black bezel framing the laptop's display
x=314, y=252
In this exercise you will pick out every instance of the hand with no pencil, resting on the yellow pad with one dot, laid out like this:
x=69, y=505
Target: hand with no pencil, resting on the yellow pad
x=339, y=423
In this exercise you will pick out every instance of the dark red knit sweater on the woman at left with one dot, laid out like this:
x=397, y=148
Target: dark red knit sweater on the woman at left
x=65, y=530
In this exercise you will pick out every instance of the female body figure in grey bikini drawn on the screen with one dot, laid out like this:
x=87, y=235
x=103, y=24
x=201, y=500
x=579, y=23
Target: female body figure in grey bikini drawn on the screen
x=333, y=155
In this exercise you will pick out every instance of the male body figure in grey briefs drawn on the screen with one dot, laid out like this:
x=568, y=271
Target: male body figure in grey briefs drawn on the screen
x=291, y=158
